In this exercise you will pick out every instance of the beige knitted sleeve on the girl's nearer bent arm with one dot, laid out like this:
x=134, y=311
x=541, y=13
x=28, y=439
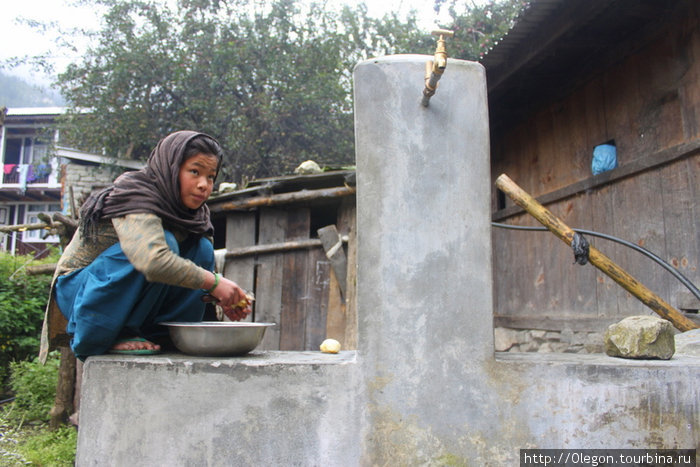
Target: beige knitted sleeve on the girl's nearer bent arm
x=142, y=240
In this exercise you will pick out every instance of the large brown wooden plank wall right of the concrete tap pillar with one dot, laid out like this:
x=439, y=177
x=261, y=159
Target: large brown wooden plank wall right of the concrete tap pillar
x=649, y=104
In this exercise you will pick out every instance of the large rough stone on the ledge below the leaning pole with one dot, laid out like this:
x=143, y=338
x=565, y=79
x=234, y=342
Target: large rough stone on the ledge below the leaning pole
x=645, y=337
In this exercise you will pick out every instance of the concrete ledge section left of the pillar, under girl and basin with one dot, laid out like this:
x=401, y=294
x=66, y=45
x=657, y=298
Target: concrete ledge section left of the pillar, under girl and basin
x=174, y=409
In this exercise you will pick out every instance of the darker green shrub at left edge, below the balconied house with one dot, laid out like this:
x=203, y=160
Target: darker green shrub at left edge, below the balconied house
x=23, y=300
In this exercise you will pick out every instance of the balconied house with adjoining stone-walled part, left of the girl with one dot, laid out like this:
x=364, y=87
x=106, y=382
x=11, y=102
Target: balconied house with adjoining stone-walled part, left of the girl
x=42, y=176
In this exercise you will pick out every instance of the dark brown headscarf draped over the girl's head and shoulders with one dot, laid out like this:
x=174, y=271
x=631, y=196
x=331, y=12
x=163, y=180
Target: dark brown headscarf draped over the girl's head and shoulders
x=154, y=189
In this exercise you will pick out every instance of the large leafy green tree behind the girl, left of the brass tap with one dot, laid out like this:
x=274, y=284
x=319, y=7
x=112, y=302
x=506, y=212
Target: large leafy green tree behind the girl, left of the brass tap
x=269, y=78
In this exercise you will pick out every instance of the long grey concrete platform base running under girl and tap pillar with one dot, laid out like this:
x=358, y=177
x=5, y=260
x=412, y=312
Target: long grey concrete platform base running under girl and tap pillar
x=309, y=408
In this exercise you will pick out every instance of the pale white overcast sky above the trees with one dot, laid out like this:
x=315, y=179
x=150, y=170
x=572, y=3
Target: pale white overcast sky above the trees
x=21, y=39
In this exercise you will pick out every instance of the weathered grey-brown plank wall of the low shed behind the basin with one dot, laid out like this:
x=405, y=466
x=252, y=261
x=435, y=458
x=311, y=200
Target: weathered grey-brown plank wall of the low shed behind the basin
x=295, y=289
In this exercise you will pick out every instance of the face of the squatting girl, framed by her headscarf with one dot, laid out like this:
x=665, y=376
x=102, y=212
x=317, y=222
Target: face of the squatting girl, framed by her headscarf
x=197, y=176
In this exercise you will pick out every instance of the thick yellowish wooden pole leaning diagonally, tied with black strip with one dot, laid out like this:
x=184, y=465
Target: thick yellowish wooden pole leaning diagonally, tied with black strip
x=596, y=258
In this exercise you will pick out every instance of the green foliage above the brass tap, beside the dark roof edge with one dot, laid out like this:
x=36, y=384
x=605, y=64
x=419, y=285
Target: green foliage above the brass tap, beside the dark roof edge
x=478, y=27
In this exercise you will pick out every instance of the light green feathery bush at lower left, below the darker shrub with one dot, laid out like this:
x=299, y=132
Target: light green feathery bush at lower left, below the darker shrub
x=34, y=386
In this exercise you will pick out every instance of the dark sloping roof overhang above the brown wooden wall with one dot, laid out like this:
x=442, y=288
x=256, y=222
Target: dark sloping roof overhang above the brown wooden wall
x=557, y=44
